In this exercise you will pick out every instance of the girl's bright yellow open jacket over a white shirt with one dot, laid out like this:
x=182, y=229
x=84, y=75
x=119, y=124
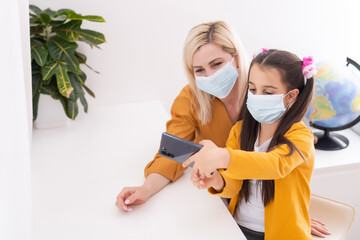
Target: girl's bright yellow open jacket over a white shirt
x=286, y=216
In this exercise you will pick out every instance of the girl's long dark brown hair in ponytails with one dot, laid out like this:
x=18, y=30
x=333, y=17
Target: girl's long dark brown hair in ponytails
x=290, y=67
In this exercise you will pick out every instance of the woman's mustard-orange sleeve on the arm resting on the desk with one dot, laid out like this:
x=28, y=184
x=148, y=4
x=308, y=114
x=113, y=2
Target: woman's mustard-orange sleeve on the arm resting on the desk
x=182, y=124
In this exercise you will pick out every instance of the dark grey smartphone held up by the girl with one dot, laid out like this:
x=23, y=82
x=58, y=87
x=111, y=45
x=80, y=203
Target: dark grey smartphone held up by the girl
x=177, y=149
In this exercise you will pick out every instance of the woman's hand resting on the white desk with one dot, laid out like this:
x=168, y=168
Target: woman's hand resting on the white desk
x=131, y=196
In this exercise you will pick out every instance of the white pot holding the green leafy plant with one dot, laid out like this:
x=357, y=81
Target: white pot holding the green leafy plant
x=50, y=113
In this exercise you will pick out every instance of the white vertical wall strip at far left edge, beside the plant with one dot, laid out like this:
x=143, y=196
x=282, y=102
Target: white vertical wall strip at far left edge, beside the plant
x=15, y=122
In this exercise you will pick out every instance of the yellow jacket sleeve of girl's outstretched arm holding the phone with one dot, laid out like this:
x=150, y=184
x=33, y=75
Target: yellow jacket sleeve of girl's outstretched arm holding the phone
x=274, y=164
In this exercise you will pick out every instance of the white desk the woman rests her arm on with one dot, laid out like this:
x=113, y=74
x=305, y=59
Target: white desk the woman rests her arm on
x=77, y=172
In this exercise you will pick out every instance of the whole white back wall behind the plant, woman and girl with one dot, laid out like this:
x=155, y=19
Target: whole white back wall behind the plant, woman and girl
x=142, y=58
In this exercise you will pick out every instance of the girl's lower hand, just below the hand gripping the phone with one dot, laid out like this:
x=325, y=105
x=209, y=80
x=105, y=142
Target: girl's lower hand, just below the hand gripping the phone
x=215, y=181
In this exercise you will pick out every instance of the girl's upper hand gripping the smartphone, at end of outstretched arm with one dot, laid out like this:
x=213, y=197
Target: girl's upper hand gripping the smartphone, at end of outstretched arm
x=209, y=159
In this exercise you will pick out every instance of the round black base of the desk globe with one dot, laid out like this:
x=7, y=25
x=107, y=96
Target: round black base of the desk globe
x=330, y=142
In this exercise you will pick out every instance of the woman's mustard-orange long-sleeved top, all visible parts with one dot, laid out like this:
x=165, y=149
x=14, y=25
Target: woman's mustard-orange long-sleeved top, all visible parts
x=184, y=123
